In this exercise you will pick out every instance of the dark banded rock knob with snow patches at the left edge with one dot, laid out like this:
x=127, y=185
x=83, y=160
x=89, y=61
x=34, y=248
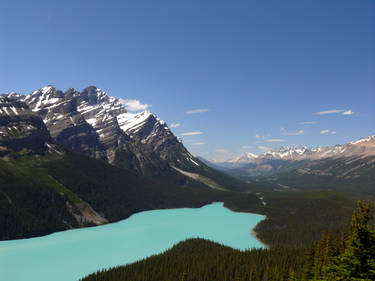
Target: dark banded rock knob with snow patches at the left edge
x=21, y=130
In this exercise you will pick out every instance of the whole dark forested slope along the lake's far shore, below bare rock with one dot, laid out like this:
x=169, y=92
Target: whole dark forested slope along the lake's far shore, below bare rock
x=40, y=193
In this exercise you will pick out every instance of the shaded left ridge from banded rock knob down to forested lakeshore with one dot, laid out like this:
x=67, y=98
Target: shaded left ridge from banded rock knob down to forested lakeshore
x=44, y=188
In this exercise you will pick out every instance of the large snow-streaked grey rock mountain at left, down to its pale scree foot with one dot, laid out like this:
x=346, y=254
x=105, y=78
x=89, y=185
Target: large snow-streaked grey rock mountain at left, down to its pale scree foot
x=97, y=125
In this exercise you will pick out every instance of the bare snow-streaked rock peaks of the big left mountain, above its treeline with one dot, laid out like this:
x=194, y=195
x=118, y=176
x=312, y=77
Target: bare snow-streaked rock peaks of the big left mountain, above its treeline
x=95, y=124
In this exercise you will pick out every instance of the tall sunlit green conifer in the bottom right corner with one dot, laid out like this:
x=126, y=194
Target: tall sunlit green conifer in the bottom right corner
x=358, y=260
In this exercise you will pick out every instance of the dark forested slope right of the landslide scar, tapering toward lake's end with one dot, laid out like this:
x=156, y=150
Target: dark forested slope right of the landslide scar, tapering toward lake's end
x=118, y=193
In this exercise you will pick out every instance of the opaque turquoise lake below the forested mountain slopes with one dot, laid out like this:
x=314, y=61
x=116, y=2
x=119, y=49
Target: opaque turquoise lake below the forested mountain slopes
x=70, y=255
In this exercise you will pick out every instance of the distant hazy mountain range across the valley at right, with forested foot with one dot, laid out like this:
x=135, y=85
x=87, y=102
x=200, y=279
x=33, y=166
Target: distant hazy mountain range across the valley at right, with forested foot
x=349, y=166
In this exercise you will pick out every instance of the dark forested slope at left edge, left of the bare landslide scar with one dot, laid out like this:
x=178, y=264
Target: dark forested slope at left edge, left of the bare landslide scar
x=28, y=204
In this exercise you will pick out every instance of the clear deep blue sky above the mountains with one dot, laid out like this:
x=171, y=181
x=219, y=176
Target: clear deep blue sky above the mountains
x=257, y=69
